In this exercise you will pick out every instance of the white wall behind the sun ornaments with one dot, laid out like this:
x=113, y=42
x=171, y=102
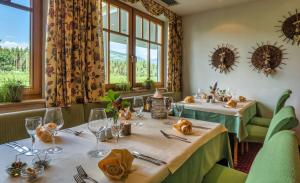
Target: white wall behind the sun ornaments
x=242, y=26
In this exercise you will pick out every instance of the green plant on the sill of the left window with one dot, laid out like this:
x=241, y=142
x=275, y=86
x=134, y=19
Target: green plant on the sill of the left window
x=11, y=90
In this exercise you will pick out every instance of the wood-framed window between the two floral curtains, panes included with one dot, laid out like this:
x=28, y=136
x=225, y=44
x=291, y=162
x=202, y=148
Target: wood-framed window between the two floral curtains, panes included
x=133, y=45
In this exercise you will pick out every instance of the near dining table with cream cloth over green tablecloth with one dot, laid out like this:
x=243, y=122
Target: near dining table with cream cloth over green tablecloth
x=185, y=162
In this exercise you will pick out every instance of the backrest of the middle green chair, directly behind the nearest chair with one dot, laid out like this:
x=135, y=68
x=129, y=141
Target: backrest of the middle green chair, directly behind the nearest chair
x=285, y=119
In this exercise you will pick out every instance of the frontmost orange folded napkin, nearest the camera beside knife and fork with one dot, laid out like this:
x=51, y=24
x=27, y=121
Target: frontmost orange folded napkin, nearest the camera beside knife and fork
x=117, y=164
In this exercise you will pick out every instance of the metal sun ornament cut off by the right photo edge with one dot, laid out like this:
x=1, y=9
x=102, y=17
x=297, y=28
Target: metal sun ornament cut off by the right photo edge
x=290, y=28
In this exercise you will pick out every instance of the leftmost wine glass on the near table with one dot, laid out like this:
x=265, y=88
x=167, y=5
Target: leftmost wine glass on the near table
x=31, y=124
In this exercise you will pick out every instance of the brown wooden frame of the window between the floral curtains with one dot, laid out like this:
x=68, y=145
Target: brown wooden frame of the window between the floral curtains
x=132, y=42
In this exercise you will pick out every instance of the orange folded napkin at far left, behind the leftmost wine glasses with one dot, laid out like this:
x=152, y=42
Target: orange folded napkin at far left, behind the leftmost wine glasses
x=44, y=132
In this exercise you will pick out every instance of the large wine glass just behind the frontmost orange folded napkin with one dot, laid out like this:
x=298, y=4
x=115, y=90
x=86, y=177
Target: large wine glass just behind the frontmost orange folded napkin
x=97, y=125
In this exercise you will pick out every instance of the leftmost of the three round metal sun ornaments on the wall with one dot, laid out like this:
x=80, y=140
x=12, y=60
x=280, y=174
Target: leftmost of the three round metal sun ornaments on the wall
x=224, y=58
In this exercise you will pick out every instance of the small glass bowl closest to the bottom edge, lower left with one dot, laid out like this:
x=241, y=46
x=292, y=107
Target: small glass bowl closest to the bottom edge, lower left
x=32, y=173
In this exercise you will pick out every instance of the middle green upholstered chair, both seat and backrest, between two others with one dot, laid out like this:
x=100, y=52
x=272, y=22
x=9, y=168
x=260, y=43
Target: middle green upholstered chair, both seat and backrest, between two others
x=285, y=119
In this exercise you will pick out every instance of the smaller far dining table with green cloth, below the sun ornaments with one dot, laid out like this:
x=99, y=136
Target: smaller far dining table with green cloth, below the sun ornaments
x=234, y=119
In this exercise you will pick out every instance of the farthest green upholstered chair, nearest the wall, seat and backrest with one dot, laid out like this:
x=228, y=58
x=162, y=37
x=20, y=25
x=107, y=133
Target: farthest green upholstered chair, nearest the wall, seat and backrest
x=265, y=122
